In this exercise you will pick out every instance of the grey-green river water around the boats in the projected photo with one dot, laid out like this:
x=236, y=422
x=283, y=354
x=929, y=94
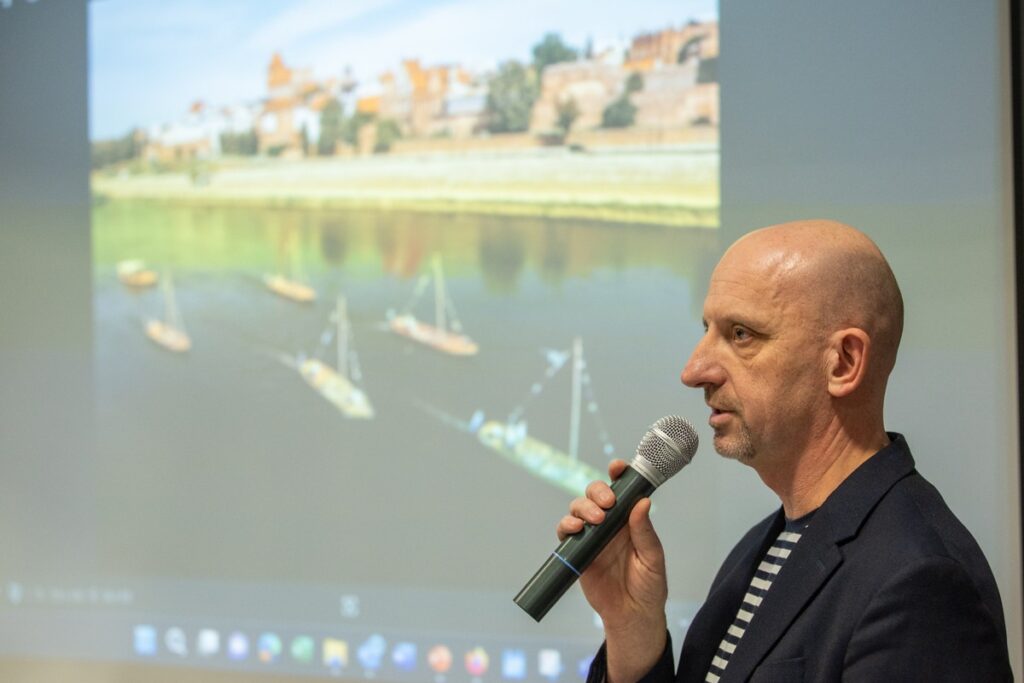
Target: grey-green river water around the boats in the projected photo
x=236, y=420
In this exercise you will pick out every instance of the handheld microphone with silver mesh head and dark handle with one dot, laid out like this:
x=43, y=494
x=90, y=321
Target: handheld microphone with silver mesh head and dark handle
x=666, y=449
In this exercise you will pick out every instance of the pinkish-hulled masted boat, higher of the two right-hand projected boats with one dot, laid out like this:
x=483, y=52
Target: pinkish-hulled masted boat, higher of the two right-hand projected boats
x=441, y=336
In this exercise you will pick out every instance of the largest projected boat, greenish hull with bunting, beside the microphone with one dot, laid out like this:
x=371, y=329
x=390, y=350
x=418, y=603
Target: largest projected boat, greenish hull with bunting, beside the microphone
x=561, y=468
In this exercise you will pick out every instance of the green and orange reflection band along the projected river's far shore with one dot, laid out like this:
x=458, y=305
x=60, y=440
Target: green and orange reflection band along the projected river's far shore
x=501, y=250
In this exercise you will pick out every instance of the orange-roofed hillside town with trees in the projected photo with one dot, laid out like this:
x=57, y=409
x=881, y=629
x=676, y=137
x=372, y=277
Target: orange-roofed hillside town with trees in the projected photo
x=657, y=90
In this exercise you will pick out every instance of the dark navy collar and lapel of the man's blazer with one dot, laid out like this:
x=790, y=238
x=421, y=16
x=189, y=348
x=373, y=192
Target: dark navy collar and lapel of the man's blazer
x=817, y=556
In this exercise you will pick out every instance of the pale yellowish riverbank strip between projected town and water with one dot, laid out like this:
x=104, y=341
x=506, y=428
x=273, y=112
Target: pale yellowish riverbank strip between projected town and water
x=676, y=187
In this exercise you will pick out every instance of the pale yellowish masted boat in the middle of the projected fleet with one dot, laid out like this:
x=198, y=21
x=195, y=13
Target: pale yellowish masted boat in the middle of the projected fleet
x=335, y=385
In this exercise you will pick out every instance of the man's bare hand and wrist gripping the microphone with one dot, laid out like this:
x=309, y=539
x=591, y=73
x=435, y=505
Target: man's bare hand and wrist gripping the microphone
x=626, y=584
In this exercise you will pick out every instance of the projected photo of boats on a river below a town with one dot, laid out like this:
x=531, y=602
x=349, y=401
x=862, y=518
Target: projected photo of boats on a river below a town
x=371, y=278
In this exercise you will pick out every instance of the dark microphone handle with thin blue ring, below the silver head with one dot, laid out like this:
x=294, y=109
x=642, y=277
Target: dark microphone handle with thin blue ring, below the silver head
x=578, y=551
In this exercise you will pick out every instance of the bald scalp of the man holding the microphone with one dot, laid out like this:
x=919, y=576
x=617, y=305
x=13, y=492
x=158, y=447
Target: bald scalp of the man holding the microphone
x=837, y=275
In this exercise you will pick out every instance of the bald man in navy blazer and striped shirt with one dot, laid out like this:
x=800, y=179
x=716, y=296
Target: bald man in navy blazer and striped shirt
x=864, y=574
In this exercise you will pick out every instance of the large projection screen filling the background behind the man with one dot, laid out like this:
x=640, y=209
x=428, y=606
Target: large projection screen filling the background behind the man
x=316, y=316
